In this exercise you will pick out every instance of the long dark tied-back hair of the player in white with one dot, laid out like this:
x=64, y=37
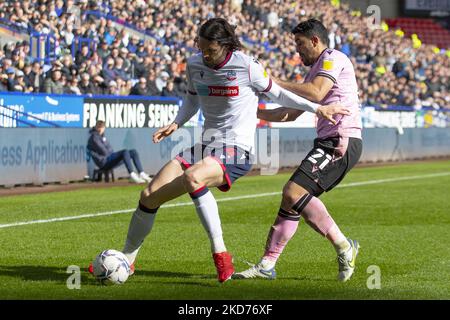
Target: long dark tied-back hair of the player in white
x=218, y=29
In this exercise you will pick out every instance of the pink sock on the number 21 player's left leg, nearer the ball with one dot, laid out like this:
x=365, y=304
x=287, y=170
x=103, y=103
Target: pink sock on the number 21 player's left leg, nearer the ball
x=281, y=232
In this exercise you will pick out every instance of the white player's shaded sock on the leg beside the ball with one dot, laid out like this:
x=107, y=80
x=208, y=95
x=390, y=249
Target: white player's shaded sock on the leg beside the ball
x=140, y=226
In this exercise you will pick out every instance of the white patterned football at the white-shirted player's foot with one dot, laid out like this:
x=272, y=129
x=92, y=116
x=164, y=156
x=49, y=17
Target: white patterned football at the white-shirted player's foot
x=111, y=267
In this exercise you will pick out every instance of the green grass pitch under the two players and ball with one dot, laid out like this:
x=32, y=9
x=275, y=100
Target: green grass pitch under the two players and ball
x=402, y=226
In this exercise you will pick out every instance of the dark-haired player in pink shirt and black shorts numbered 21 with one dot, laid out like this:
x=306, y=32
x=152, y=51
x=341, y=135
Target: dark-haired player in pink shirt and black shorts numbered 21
x=336, y=150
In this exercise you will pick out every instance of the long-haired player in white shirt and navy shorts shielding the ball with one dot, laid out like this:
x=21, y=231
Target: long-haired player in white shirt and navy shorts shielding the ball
x=223, y=82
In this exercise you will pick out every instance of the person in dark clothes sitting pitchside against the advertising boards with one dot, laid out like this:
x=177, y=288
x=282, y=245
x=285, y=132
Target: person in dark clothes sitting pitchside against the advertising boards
x=105, y=158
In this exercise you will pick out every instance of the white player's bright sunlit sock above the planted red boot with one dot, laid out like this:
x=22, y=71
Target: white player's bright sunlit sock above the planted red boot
x=208, y=212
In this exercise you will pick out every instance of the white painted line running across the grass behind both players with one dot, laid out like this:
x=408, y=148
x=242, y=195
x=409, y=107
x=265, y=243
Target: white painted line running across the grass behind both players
x=250, y=196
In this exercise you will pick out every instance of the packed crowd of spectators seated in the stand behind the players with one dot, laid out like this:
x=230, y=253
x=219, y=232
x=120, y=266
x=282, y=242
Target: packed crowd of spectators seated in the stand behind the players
x=148, y=57
